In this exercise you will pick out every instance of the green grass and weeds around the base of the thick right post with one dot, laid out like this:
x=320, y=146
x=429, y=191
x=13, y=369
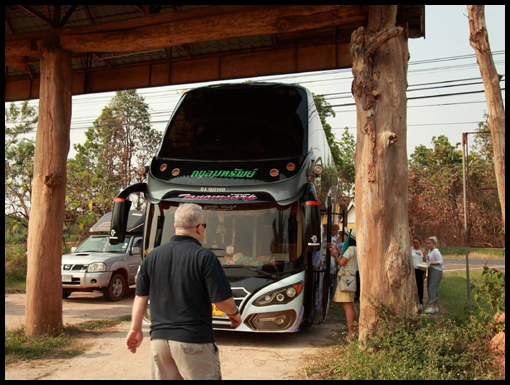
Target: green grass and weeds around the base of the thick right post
x=449, y=346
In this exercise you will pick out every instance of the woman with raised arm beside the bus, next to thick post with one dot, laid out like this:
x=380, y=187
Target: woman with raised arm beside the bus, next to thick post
x=347, y=262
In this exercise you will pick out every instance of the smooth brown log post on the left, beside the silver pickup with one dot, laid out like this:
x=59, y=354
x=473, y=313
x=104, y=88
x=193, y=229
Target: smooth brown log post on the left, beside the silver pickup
x=43, y=310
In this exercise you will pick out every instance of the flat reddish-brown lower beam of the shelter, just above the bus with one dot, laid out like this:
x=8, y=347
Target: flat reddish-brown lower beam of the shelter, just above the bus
x=249, y=63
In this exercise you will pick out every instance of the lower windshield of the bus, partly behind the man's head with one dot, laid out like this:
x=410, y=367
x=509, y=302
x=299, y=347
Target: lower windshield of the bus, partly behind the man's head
x=265, y=237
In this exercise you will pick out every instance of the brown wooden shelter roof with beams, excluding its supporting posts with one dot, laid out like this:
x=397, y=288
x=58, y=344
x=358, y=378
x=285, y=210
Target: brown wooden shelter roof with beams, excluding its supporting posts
x=134, y=46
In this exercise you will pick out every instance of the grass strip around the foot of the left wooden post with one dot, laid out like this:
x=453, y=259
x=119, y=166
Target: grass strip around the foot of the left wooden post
x=19, y=347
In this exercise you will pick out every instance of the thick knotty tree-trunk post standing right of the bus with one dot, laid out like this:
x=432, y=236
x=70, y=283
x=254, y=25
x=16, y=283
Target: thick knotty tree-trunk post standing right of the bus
x=380, y=55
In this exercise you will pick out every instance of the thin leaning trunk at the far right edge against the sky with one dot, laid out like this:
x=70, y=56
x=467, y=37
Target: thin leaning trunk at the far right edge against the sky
x=479, y=40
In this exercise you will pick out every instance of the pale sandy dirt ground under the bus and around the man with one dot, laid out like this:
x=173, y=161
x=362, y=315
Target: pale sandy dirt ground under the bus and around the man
x=244, y=356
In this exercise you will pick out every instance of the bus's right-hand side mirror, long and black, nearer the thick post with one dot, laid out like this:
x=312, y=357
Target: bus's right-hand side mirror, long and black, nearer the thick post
x=312, y=220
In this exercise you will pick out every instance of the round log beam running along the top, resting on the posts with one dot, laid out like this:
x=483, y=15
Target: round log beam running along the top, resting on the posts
x=186, y=27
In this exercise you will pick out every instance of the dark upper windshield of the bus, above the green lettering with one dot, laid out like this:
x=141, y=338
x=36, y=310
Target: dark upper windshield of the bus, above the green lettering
x=245, y=122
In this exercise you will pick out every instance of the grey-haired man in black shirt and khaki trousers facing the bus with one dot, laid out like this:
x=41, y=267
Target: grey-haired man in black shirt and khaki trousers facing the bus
x=182, y=280
